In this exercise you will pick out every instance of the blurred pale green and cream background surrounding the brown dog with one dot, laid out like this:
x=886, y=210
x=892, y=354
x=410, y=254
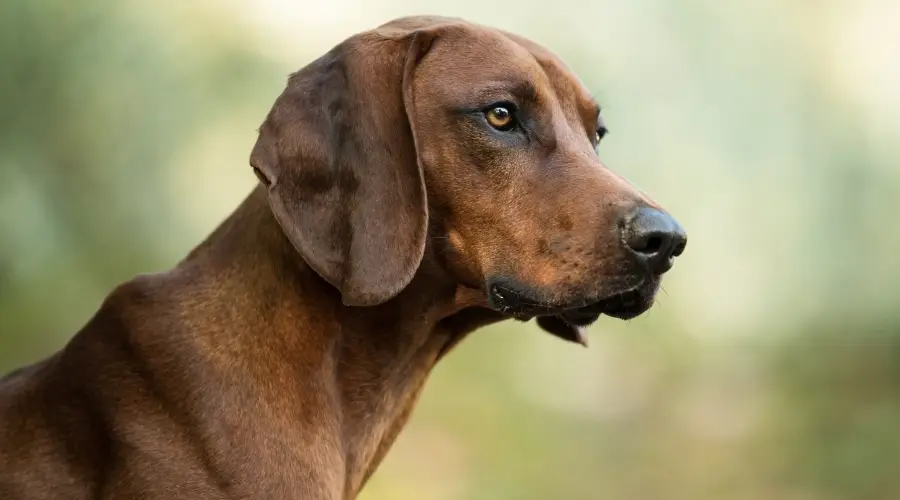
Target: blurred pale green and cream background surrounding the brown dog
x=770, y=370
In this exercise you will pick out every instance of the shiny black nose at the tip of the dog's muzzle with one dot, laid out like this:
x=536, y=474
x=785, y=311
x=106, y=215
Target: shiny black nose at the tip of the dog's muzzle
x=655, y=237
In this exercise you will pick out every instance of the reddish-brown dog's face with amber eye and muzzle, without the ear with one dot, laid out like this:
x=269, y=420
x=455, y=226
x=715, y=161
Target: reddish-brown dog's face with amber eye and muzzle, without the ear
x=508, y=139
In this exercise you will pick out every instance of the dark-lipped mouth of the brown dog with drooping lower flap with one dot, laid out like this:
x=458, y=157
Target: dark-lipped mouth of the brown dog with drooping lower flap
x=569, y=321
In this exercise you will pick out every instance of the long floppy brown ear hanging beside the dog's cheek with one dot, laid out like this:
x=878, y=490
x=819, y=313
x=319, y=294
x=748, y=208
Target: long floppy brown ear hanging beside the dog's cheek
x=338, y=155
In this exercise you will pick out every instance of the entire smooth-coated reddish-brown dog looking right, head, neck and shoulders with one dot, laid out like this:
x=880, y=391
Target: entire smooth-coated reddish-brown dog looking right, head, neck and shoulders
x=419, y=181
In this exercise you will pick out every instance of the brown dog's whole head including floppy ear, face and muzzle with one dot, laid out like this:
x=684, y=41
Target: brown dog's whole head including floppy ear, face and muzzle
x=479, y=139
